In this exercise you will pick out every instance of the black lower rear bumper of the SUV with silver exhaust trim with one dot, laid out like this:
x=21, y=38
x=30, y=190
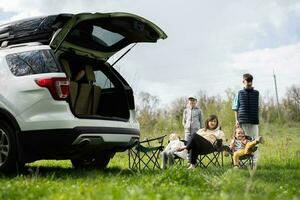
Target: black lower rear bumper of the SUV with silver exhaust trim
x=76, y=142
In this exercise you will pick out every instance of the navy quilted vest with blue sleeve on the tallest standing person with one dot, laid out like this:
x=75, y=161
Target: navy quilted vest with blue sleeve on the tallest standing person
x=246, y=103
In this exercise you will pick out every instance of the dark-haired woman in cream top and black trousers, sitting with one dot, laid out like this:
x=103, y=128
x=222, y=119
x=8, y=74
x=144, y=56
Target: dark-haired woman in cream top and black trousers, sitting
x=205, y=141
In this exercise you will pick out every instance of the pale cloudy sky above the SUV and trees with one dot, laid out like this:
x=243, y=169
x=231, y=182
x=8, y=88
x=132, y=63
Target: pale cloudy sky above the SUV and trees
x=210, y=44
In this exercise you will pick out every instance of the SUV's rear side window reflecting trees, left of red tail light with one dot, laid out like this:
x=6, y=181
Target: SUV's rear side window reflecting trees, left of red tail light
x=32, y=62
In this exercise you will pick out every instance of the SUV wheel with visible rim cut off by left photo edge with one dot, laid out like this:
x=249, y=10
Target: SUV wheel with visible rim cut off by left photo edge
x=8, y=153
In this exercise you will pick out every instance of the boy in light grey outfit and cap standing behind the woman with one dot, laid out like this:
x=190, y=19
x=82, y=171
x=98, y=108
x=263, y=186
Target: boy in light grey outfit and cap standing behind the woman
x=192, y=118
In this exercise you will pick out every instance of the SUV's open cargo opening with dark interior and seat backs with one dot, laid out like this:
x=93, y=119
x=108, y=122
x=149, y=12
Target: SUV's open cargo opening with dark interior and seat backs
x=96, y=89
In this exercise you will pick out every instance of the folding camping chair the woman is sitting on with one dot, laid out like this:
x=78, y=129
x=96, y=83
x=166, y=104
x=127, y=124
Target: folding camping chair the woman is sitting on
x=213, y=156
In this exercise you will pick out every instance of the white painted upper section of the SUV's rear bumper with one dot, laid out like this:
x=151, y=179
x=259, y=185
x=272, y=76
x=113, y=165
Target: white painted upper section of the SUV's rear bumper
x=49, y=114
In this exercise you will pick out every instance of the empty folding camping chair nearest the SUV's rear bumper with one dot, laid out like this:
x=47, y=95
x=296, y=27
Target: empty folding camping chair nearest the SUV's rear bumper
x=145, y=154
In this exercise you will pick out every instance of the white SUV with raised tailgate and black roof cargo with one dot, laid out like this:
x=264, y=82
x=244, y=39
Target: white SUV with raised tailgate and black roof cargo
x=59, y=97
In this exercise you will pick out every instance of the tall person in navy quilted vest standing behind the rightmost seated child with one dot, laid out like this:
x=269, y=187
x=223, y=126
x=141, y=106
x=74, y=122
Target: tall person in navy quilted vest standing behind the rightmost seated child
x=246, y=109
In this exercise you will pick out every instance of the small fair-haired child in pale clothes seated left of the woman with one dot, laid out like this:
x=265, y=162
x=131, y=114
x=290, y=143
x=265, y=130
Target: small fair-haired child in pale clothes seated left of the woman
x=171, y=150
